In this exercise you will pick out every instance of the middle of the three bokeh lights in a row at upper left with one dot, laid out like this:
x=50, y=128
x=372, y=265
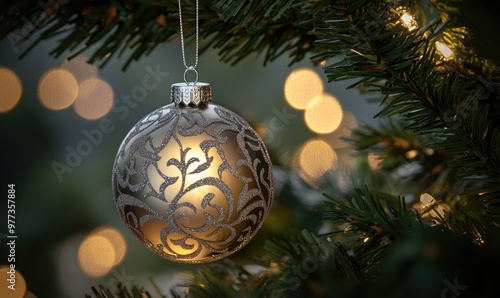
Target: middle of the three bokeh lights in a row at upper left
x=57, y=89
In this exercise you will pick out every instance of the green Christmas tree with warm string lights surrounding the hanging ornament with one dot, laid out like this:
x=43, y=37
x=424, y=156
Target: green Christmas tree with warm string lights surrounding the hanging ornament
x=416, y=216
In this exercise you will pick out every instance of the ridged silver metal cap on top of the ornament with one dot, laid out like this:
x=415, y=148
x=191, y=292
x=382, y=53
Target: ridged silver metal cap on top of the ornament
x=198, y=94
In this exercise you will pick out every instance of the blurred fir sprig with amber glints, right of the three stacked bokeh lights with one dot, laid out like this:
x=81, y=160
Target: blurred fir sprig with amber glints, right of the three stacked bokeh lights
x=414, y=166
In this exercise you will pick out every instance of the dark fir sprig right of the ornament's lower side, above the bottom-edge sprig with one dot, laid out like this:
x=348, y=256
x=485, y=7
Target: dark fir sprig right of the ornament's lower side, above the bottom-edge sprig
x=373, y=221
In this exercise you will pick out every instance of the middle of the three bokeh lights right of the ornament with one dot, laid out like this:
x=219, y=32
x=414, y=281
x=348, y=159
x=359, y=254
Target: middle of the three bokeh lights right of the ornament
x=324, y=114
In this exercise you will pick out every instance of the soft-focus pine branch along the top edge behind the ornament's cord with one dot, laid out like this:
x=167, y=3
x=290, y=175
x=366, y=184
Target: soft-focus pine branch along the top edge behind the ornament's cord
x=236, y=28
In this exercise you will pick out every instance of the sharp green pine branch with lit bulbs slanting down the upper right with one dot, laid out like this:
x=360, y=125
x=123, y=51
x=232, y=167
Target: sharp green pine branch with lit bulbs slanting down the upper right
x=439, y=99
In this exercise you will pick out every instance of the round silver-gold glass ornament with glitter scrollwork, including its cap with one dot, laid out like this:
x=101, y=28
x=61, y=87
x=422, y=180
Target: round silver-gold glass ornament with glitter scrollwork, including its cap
x=192, y=180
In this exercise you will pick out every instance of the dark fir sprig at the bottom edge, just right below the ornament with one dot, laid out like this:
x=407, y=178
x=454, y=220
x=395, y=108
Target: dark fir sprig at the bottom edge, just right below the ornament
x=306, y=260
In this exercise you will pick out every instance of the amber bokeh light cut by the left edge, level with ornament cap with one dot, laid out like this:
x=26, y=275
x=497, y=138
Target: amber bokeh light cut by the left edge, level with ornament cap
x=11, y=89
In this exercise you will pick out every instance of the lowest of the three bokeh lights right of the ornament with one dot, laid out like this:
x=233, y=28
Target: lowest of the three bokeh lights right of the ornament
x=315, y=158
